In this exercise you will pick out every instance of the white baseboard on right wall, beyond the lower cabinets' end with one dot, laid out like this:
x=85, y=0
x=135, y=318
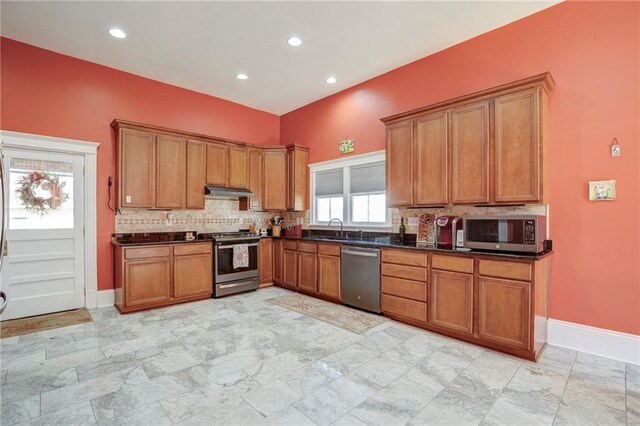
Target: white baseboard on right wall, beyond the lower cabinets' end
x=596, y=341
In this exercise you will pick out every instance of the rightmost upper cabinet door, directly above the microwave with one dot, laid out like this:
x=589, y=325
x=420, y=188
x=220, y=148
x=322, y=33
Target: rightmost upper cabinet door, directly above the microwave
x=517, y=147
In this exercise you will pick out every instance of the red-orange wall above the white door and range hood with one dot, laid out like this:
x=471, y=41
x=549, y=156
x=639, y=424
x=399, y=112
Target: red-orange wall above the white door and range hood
x=51, y=94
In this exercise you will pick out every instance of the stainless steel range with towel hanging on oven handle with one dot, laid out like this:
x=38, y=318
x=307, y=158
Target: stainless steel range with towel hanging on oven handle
x=227, y=279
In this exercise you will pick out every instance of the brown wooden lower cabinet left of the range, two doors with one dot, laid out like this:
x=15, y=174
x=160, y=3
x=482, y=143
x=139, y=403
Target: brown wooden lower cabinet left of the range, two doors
x=152, y=276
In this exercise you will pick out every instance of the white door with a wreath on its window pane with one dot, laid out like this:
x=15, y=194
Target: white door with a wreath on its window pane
x=43, y=268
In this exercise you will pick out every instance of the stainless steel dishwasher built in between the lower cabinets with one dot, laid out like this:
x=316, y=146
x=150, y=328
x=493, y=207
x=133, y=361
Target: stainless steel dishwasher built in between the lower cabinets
x=361, y=277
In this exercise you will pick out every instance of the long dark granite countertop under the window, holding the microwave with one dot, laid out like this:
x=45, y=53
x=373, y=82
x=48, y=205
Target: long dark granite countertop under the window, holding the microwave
x=388, y=242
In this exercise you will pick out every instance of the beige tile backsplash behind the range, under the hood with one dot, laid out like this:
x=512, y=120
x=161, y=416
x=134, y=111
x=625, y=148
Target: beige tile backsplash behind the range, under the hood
x=219, y=215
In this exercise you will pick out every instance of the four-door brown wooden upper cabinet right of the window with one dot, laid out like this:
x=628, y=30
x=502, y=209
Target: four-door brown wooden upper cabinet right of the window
x=484, y=148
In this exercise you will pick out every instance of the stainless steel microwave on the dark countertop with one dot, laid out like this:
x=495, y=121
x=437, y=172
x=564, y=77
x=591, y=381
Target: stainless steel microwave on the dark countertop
x=517, y=233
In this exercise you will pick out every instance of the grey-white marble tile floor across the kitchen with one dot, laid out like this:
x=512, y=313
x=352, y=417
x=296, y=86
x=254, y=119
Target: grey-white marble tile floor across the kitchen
x=243, y=361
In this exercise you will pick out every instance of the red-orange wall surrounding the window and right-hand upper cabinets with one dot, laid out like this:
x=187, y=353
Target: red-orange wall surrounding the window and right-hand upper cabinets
x=592, y=50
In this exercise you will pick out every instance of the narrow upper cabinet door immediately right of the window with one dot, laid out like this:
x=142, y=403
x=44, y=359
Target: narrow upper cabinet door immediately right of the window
x=399, y=164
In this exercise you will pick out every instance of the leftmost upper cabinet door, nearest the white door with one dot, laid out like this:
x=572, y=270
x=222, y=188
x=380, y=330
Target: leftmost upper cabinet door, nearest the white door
x=137, y=169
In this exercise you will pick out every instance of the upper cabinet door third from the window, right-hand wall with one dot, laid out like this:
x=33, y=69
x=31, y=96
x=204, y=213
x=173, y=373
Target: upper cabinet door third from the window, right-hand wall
x=470, y=154
